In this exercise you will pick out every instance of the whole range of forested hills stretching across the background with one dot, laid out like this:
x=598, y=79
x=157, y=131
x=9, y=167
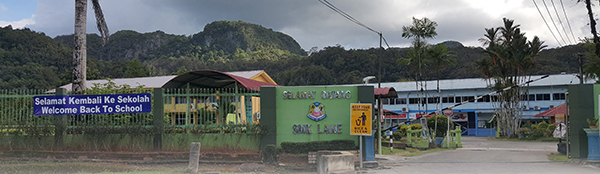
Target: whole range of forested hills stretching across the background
x=32, y=60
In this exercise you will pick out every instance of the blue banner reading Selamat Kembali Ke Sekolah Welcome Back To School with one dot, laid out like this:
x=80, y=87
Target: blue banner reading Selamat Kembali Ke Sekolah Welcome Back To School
x=92, y=104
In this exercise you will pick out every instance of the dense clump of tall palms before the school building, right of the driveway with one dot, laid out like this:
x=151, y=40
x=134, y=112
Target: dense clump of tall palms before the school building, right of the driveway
x=510, y=56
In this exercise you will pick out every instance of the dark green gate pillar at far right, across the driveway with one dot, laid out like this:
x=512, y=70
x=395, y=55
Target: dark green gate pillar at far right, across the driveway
x=583, y=105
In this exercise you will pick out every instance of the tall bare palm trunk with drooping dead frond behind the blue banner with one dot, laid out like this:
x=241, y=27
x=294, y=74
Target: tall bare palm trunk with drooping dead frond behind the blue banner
x=80, y=49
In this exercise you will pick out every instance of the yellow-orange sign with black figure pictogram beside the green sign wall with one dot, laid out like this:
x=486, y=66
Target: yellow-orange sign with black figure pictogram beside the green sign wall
x=360, y=119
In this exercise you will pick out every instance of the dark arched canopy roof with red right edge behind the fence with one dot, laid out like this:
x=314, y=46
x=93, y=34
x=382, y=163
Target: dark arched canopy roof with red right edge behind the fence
x=213, y=79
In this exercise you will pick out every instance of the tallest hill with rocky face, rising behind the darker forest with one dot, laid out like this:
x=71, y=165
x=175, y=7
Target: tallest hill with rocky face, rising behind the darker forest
x=219, y=37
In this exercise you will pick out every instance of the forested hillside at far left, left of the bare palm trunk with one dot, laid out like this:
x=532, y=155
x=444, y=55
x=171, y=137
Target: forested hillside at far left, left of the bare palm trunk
x=31, y=60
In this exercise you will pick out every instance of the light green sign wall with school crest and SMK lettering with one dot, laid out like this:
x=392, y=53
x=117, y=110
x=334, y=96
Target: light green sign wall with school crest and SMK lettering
x=291, y=112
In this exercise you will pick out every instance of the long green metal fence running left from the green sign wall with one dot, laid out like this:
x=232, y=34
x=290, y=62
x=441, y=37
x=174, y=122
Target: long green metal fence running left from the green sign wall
x=184, y=111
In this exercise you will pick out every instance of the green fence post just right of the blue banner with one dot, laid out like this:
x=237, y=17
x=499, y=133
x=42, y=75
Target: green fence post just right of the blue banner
x=159, y=113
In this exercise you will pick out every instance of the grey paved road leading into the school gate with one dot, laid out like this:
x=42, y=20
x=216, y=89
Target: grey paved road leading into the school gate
x=480, y=155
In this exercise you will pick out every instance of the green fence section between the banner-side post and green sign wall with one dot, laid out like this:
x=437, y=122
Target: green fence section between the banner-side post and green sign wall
x=209, y=106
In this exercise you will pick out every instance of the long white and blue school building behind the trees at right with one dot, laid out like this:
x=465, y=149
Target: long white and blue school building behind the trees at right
x=475, y=116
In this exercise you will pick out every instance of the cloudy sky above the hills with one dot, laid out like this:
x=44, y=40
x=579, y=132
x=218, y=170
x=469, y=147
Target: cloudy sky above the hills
x=310, y=22
